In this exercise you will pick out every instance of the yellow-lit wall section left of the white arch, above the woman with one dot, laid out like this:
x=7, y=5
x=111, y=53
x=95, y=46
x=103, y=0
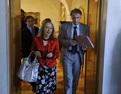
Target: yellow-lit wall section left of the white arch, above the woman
x=47, y=9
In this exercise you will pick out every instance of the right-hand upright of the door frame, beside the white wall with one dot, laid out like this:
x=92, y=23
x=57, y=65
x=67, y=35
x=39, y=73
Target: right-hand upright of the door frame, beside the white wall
x=101, y=46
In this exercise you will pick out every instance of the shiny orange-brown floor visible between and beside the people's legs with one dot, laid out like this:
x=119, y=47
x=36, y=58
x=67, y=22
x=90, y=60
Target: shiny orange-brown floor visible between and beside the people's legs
x=27, y=89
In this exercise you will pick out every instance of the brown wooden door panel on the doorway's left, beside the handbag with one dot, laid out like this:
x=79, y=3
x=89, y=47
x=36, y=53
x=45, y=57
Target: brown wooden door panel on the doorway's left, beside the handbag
x=15, y=45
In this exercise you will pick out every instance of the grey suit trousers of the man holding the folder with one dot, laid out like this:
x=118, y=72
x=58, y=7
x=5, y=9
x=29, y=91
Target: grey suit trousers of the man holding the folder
x=71, y=71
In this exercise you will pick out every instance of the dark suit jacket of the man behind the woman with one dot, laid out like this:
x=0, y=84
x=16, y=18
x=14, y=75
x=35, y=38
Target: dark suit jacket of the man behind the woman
x=27, y=39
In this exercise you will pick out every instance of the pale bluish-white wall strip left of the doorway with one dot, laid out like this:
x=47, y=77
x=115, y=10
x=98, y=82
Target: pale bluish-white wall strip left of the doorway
x=4, y=85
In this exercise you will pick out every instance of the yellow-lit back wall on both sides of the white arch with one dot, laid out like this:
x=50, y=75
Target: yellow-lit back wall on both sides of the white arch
x=51, y=8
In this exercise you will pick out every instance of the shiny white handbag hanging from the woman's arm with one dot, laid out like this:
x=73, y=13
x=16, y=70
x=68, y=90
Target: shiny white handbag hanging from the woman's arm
x=28, y=70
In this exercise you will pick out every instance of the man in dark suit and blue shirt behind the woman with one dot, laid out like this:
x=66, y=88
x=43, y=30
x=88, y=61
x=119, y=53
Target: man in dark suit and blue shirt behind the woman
x=27, y=36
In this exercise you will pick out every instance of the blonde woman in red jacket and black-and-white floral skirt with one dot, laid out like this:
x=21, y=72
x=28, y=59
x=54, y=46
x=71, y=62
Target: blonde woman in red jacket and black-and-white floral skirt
x=46, y=48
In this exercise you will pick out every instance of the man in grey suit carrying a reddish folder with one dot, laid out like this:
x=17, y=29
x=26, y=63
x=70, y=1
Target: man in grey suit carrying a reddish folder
x=71, y=54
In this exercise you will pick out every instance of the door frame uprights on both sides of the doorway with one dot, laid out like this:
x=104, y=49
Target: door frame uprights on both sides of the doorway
x=101, y=45
